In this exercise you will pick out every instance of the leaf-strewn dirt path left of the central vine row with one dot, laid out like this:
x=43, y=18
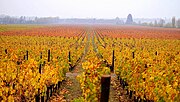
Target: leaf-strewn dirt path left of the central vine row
x=70, y=88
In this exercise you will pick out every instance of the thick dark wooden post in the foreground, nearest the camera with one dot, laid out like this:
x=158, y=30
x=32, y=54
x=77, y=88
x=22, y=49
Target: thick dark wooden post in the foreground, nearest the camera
x=105, y=87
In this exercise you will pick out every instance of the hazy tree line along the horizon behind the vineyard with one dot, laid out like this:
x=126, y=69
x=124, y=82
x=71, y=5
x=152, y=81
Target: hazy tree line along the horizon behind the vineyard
x=175, y=23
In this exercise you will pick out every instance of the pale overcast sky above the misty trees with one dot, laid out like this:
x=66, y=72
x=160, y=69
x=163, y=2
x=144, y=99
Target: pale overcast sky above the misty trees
x=92, y=8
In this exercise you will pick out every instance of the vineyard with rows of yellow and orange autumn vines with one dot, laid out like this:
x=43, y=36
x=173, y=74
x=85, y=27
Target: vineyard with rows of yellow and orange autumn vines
x=34, y=62
